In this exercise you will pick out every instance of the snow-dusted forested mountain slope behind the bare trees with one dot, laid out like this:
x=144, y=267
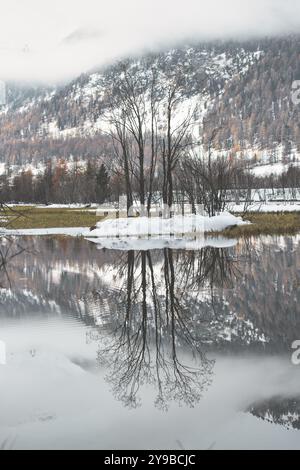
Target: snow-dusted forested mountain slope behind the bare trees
x=220, y=82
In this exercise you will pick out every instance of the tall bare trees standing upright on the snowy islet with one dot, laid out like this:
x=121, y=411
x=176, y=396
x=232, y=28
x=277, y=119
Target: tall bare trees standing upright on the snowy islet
x=148, y=137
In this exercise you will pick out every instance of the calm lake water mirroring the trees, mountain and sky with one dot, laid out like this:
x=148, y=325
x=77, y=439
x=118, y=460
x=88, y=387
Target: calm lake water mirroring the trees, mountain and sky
x=151, y=349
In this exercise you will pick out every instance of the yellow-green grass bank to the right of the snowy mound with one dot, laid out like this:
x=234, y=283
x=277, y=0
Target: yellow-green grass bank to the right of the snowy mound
x=287, y=223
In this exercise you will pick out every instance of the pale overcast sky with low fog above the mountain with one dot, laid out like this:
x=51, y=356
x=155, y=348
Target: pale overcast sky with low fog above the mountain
x=53, y=40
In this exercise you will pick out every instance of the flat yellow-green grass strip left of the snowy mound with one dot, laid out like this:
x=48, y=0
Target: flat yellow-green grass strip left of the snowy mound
x=32, y=217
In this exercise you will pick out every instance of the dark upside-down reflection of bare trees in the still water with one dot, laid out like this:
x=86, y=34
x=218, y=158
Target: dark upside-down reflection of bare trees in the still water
x=157, y=339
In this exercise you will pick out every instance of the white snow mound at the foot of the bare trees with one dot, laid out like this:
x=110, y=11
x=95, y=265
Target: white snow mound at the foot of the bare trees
x=178, y=225
